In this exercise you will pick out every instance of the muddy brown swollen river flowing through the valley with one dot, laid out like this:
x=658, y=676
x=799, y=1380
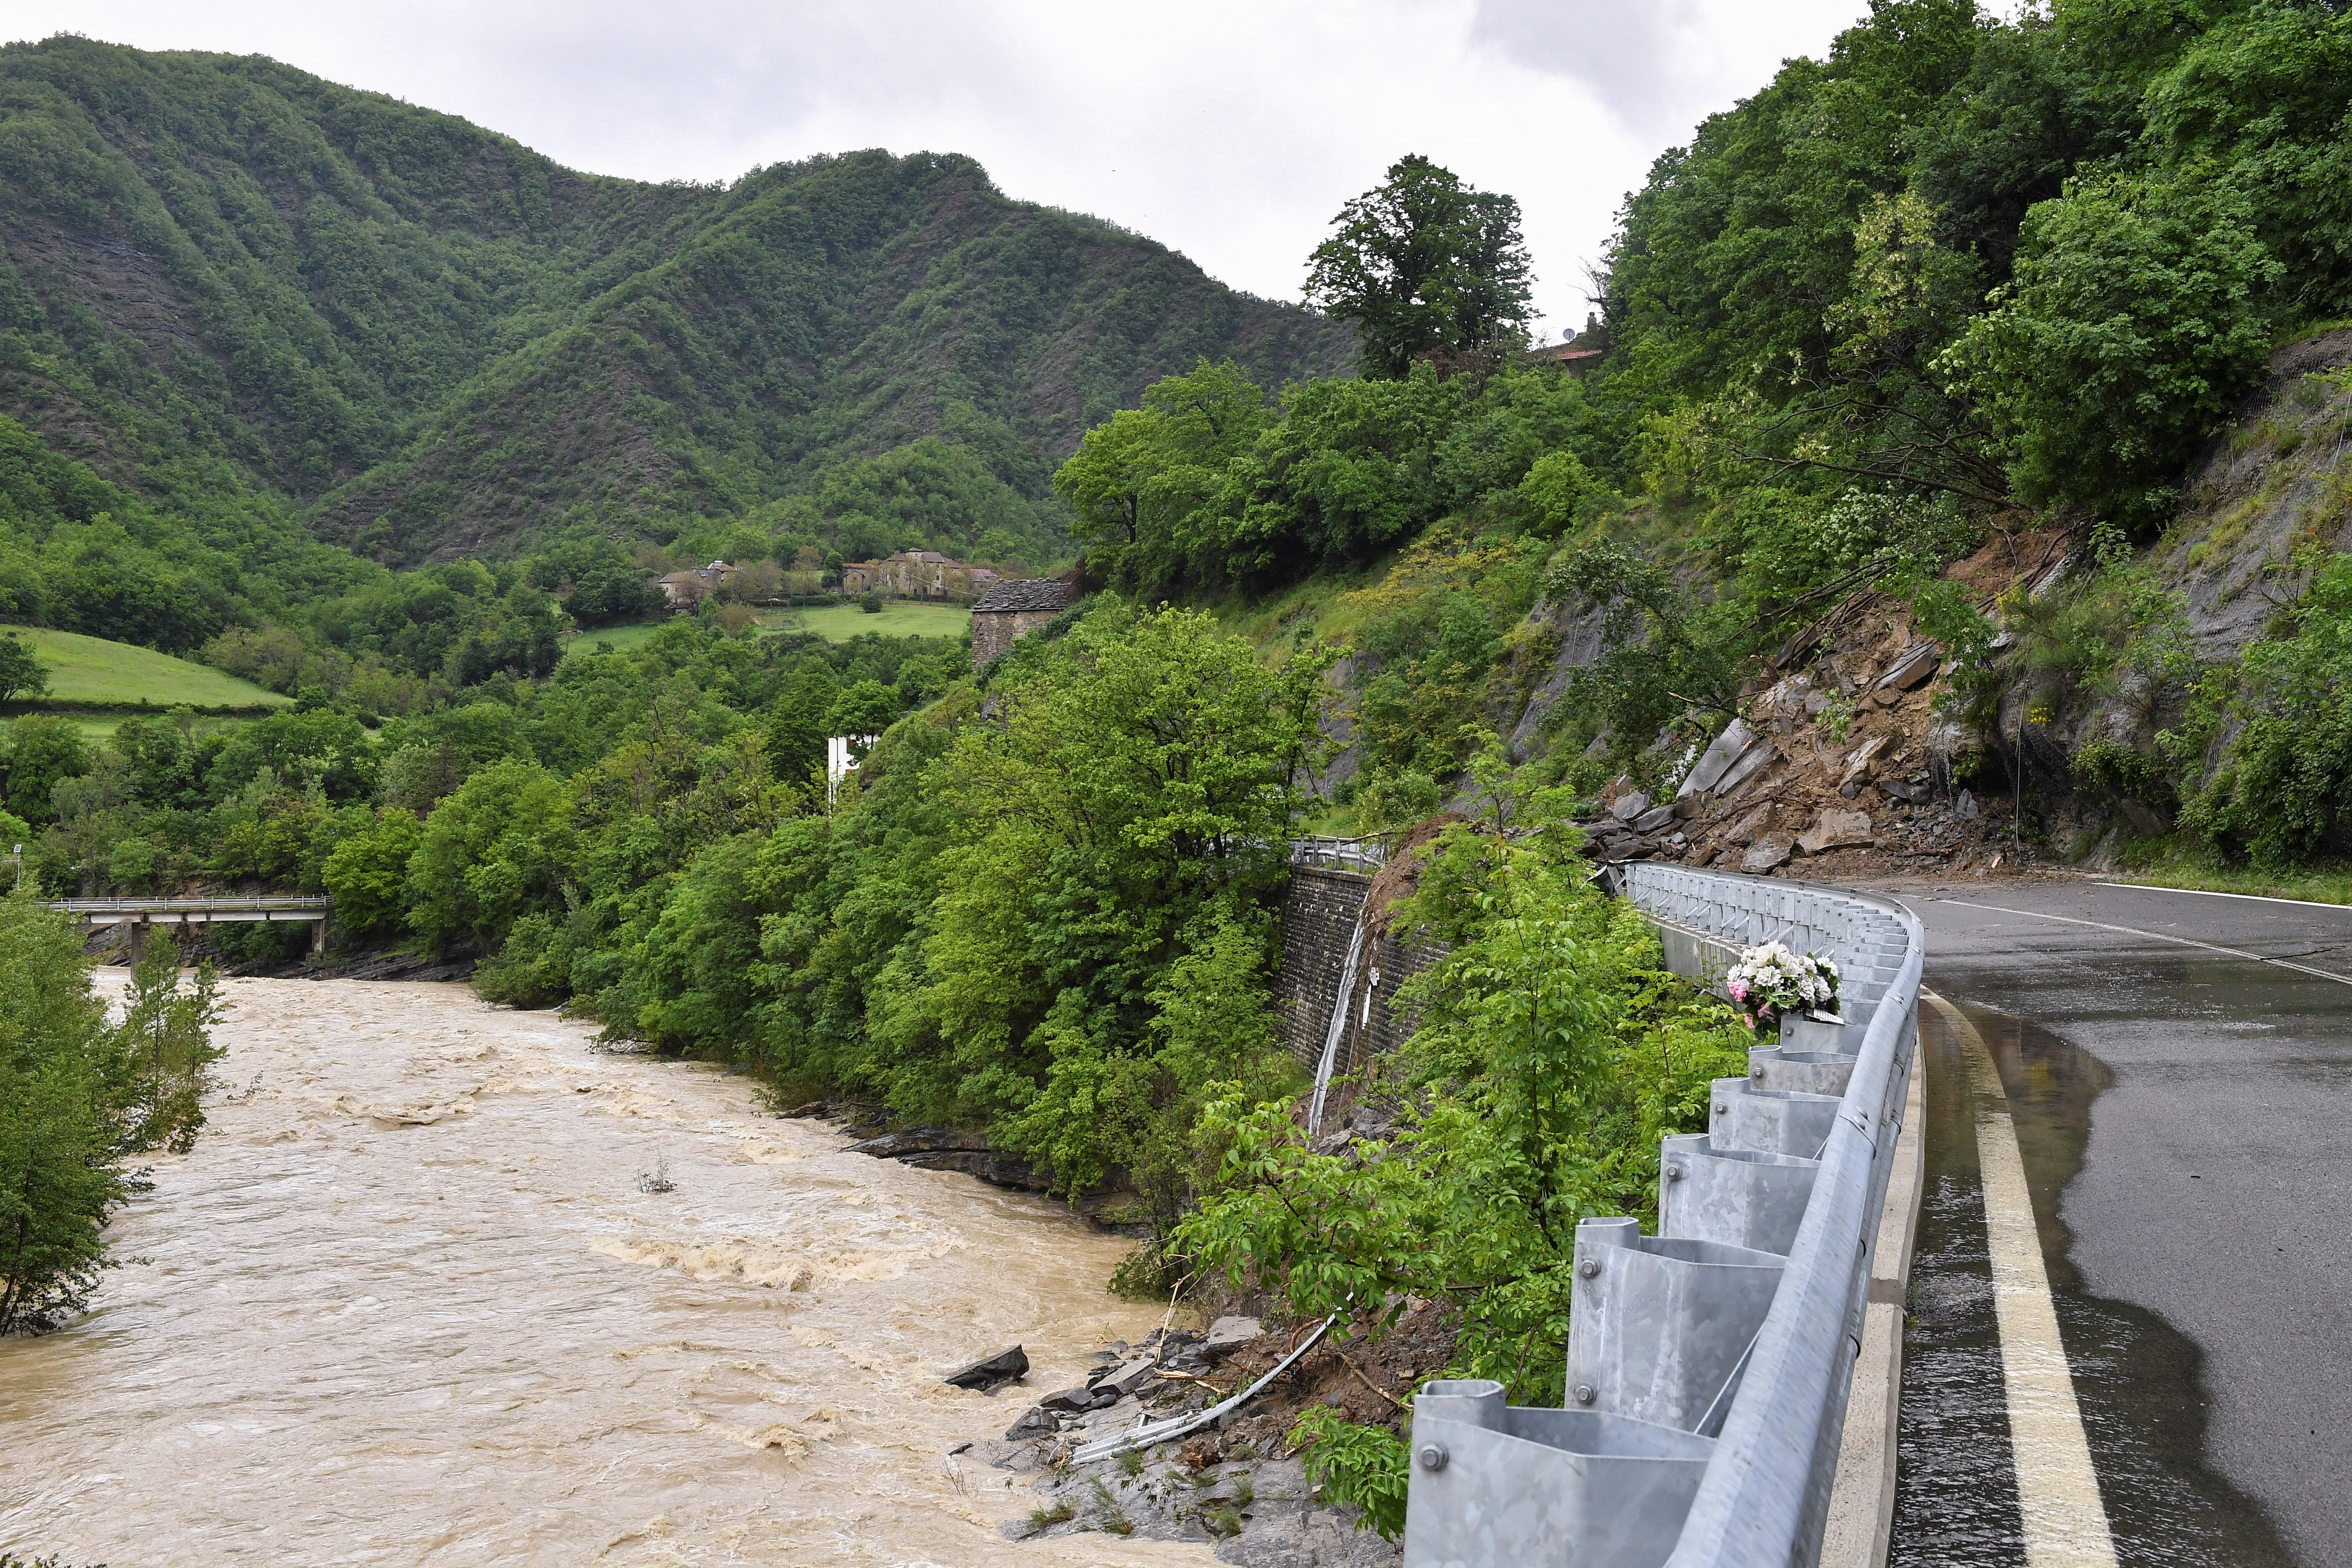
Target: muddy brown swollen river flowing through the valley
x=406, y=1304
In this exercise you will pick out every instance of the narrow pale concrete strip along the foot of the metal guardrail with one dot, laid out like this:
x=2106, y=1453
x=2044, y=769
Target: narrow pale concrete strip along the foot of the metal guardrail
x=1864, y=1492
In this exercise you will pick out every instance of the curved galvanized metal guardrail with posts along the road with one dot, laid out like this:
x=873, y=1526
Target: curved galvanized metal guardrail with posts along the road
x=1709, y=1365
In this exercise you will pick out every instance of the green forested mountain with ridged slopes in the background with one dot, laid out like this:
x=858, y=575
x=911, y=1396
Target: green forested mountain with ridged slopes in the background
x=229, y=279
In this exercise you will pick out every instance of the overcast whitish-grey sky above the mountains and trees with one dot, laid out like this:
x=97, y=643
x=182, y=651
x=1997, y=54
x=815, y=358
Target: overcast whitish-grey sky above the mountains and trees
x=1227, y=128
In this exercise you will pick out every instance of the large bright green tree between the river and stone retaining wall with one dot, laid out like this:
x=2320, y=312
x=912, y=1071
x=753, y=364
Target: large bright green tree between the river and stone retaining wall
x=1123, y=822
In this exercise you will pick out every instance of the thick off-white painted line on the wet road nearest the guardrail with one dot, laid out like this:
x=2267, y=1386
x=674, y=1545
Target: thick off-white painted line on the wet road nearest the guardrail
x=2066, y=1525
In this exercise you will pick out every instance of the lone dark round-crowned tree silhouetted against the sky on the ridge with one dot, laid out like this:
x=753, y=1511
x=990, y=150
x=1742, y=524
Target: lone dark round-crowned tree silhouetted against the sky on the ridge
x=1426, y=269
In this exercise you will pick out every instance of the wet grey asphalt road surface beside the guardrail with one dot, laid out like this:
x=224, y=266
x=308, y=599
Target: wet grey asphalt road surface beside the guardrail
x=2186, y=1120
